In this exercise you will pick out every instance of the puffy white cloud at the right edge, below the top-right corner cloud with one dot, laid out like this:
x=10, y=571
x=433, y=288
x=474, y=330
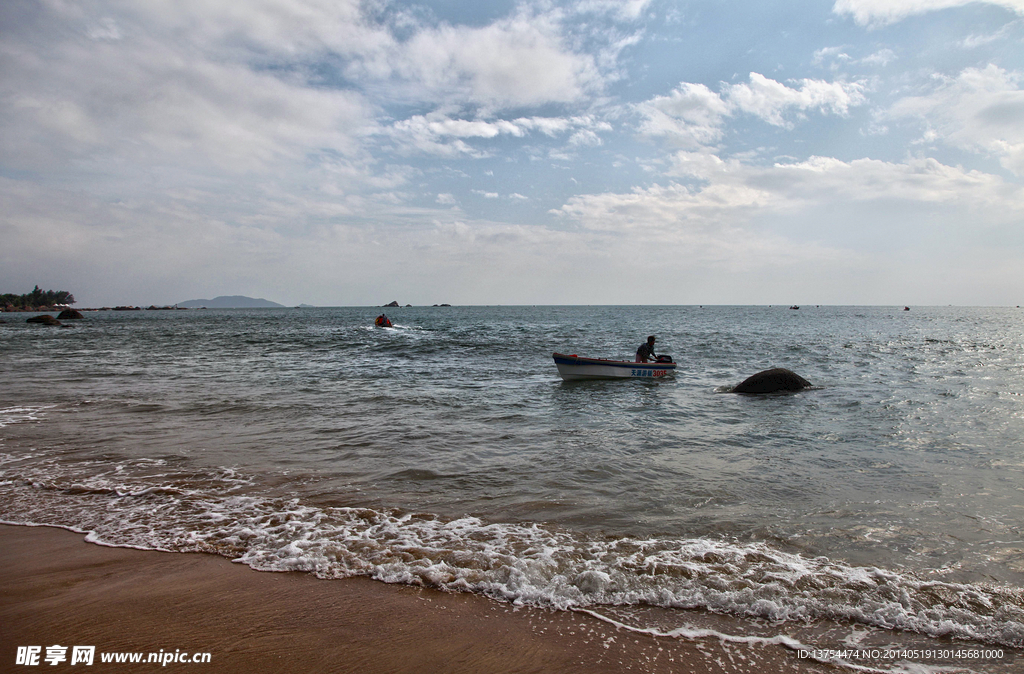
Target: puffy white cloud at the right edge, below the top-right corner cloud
x=982, y=110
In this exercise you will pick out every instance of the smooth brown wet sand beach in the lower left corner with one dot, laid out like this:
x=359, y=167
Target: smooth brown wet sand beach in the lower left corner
x=58, y=589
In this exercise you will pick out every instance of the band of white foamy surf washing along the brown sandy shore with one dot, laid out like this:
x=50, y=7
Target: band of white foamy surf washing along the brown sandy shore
x=527, y=565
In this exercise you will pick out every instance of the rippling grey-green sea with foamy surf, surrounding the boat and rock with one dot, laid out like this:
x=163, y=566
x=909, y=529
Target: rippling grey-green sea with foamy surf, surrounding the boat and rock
x=875, y=521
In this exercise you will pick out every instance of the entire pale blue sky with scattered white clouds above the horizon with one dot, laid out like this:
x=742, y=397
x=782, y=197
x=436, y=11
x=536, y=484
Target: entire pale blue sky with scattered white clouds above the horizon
x=578, y=152
